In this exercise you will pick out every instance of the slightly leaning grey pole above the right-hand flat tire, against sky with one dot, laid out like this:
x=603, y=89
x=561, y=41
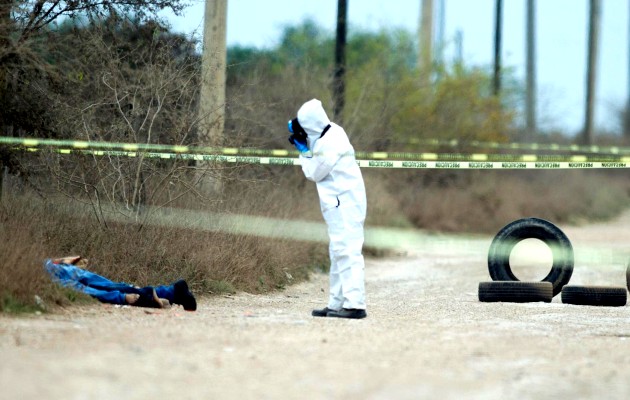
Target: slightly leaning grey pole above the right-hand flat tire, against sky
x=591, y=69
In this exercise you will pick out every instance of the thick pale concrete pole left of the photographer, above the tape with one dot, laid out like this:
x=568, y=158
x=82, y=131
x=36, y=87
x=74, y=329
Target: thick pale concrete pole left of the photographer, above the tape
x=213, y=61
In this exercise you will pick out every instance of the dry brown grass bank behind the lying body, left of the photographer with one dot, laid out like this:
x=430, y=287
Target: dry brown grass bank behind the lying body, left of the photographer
x=212, y=262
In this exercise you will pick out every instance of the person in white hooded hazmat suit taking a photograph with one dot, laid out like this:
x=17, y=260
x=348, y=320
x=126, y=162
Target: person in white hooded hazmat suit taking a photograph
x=327, y=158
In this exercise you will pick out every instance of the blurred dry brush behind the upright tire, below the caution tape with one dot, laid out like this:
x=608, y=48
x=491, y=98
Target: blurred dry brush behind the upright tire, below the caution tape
x=484, y=201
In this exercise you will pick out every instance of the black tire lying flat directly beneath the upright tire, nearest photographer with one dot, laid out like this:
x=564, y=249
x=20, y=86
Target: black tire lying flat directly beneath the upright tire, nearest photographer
x=515, y=292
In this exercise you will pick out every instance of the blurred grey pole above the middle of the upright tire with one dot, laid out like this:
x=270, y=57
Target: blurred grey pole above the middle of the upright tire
x=530, y=102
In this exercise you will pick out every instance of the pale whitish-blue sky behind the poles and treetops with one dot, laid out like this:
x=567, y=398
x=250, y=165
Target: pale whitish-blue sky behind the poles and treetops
x=562, y=36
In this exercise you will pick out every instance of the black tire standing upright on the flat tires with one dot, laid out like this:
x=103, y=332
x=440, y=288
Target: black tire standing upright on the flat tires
x=531, y=228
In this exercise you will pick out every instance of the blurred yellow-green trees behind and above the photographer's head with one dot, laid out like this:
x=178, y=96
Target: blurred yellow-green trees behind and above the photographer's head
x=386, y=106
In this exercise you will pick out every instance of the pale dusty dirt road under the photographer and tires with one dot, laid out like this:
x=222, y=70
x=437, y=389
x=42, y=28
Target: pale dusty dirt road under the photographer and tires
x=426, y=336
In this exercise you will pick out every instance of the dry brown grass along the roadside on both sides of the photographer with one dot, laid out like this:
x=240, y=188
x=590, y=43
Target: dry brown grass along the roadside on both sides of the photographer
x=215, y=262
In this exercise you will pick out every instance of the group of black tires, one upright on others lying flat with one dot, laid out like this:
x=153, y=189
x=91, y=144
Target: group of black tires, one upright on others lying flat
x=506, y=287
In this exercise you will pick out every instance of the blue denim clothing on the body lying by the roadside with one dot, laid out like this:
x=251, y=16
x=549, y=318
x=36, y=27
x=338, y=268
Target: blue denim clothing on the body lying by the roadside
x=99, y=287
